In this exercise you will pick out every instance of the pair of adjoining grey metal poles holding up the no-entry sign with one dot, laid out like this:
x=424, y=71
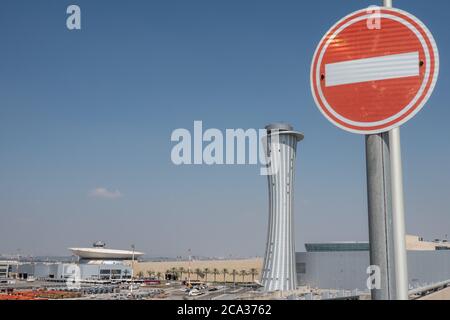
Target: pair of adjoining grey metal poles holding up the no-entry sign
x=386, y=212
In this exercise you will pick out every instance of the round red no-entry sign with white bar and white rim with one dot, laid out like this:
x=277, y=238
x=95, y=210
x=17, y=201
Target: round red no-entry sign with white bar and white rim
x=374, y=70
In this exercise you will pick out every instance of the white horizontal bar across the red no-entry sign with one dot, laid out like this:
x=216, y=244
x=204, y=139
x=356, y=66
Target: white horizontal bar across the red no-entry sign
x=371, y=69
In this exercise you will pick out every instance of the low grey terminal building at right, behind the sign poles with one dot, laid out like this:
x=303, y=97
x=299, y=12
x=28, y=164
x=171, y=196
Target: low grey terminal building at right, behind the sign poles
x=343, y=265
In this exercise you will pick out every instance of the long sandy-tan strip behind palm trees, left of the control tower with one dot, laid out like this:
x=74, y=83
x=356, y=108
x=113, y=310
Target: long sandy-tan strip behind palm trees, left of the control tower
x=230, y=265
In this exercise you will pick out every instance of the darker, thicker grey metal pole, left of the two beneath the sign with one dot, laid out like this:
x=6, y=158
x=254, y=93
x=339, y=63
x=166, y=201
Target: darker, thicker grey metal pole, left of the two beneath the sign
x=380, y=215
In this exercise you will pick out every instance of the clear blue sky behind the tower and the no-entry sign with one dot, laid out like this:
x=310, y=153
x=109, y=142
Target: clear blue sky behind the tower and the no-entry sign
x=95, y=108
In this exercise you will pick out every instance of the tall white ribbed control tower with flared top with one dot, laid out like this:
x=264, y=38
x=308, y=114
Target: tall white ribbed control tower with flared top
x=279, y=262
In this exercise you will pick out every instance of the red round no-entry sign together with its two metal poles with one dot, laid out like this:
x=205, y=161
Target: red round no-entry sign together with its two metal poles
x=365, y=70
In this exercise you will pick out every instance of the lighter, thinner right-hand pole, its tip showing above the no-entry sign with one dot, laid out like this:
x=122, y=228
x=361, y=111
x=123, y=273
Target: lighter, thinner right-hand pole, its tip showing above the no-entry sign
x=398, y=211
